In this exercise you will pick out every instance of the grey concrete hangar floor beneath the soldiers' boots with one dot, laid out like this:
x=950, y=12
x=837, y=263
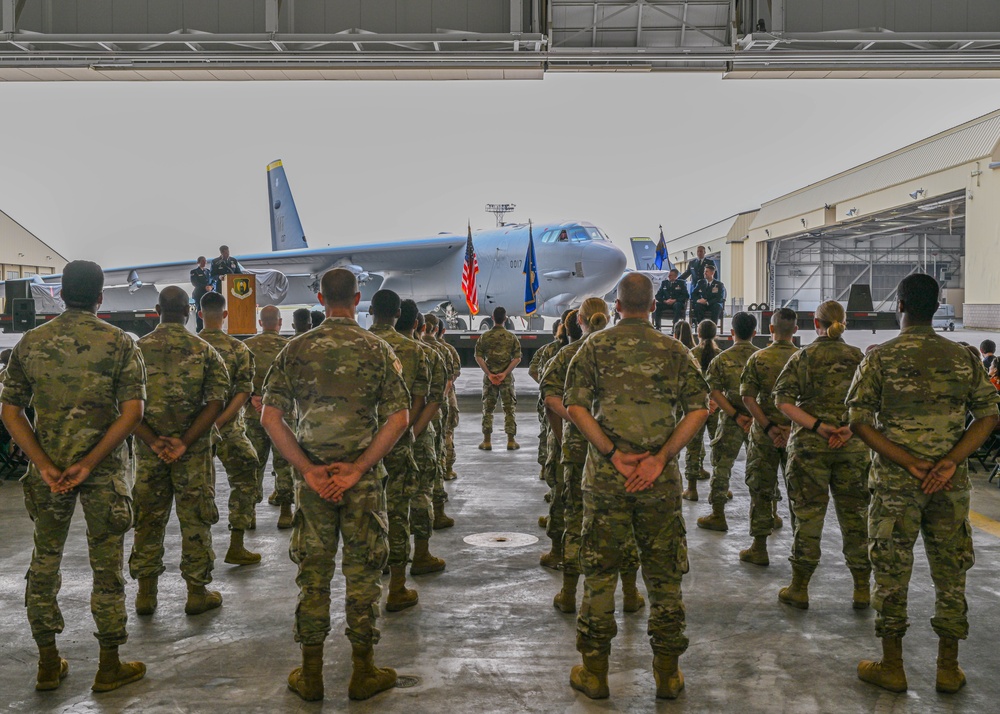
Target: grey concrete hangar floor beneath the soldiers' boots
x=485, y=636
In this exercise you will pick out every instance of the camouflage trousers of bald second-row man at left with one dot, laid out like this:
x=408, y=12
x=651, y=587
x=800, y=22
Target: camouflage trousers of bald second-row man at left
x=191, y=483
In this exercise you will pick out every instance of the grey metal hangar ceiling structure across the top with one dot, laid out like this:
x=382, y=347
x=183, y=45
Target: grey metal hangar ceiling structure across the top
x=493, y=39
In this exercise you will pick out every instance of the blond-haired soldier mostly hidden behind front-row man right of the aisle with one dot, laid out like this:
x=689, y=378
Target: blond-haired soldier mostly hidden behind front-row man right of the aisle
x=593, y=316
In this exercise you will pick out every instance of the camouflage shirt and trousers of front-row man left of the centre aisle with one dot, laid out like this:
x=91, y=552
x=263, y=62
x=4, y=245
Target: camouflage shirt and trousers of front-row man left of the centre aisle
x=339, y=379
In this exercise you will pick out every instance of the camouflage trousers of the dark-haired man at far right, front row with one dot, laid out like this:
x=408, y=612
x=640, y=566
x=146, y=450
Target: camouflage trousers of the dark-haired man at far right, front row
x=899, y=511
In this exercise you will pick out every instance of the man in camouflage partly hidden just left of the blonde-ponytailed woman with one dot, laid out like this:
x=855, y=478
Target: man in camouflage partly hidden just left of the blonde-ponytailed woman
x=768, y=435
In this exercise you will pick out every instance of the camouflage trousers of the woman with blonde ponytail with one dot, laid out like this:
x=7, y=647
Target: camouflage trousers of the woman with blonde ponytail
x=811, y=477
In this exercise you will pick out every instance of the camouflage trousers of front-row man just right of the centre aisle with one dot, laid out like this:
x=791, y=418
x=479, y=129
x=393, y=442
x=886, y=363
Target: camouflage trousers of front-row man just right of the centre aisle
x=655, y=518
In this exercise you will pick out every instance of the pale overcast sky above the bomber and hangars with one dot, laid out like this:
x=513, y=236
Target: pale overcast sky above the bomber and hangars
x=126, y=173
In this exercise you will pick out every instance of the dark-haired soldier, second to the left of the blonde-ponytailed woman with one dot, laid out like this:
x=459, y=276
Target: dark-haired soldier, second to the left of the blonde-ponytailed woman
x=723, y=375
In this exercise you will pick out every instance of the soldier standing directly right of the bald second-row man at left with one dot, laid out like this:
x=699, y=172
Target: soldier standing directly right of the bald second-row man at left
x=229, y=435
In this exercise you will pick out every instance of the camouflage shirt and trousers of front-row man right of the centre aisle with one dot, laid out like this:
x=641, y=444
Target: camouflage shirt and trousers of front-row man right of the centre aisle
x=610, y=376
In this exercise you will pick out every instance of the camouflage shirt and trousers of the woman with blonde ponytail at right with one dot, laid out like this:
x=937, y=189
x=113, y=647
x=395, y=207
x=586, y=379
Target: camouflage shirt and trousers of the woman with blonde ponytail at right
x=816, y=379
